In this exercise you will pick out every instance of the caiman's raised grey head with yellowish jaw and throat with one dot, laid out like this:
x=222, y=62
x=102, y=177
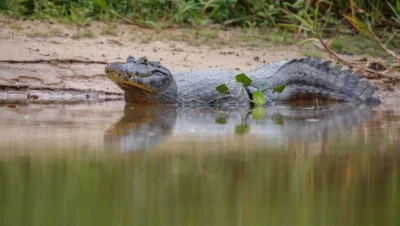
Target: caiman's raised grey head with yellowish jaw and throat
x=143, y=81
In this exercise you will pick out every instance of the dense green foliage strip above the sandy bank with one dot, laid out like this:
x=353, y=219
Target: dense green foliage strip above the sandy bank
x=247, y=13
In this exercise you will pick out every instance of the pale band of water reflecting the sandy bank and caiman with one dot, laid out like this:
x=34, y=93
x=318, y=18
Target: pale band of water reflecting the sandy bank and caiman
x=36, y=128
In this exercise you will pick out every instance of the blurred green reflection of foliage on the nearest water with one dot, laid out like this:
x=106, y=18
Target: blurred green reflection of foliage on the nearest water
x=258, y=188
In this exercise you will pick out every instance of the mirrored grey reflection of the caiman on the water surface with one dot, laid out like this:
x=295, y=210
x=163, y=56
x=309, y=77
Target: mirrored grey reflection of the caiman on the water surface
x=145, y=127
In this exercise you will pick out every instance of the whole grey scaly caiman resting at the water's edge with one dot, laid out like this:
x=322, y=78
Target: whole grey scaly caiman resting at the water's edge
x=145, y=81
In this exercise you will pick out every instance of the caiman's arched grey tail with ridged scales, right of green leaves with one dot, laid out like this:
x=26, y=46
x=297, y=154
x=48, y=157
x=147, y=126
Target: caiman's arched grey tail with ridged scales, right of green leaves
x=309, y=78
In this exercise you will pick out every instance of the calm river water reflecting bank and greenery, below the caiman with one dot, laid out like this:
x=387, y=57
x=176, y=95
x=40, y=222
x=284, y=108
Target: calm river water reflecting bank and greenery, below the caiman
x=111, y=164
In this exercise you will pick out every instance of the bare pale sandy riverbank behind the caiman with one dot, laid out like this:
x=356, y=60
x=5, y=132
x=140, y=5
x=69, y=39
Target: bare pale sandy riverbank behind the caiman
x=27, y=40
